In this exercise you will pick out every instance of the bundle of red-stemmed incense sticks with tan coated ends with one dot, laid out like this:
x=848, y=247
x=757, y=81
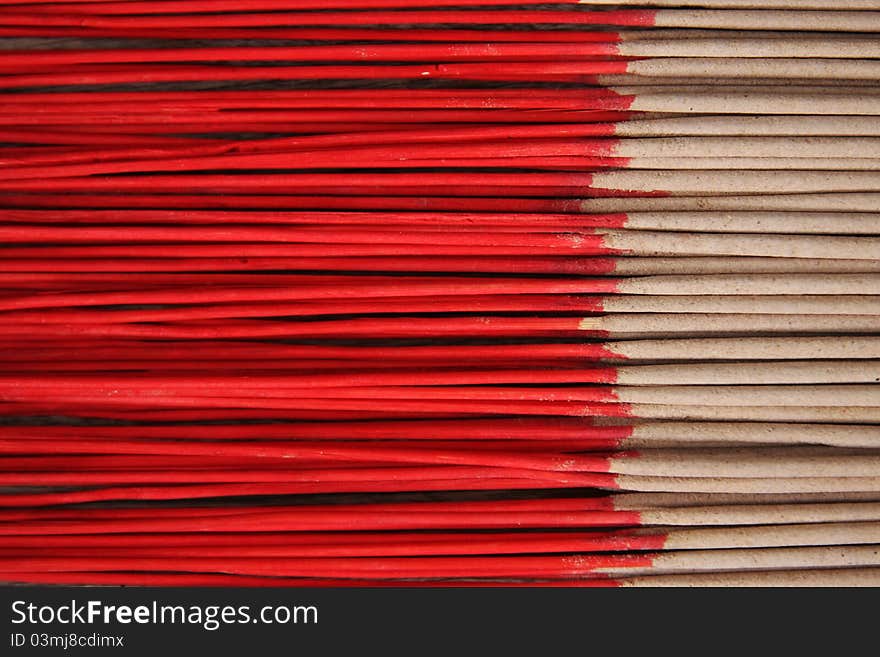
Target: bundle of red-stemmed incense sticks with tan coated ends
x=408, y=293
